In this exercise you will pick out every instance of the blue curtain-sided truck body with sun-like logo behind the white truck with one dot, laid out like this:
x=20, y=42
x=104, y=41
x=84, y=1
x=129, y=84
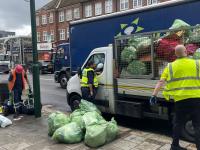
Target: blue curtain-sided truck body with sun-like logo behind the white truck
x=88, y=34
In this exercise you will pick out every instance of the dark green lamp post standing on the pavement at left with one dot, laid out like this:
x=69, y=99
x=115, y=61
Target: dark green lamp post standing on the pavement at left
x=36, y=79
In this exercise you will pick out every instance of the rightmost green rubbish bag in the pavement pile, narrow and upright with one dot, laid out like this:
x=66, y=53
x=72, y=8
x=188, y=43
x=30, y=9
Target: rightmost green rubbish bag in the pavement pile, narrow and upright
x=112, y=130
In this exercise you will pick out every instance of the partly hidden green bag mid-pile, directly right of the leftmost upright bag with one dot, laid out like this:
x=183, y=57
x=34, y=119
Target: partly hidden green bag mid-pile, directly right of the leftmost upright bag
x=76, y=116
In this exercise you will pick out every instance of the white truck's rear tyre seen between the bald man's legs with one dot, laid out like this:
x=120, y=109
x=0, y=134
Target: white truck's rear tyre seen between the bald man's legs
x=188, y=131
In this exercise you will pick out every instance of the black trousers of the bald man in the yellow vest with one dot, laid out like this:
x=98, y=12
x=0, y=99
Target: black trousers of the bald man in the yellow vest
x=184, y=109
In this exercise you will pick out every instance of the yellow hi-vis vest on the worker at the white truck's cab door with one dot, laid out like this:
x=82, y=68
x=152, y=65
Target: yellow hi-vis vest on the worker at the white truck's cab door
x=84, y=80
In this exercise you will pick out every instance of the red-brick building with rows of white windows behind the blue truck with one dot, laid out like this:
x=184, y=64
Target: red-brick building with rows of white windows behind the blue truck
x=53, y=19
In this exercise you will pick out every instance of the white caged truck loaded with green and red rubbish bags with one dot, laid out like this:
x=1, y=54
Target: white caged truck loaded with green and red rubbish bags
x=131, y=68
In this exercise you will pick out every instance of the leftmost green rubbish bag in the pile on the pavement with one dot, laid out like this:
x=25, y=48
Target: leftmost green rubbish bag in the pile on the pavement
x=56, y=120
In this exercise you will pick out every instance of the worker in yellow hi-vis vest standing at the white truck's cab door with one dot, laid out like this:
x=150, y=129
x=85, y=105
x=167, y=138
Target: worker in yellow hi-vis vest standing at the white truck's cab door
x=89, y=82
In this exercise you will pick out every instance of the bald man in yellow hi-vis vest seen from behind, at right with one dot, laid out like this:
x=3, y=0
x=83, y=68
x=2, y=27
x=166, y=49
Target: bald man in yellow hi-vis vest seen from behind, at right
x=182, y=79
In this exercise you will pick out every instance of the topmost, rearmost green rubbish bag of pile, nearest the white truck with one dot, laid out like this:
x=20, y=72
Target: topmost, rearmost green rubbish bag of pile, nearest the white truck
x=88, y=106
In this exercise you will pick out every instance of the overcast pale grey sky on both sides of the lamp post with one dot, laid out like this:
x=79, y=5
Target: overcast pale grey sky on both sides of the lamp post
x=15, y=15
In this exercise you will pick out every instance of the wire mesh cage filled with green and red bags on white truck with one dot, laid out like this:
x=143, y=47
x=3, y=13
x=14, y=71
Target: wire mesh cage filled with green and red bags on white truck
x=145, y=55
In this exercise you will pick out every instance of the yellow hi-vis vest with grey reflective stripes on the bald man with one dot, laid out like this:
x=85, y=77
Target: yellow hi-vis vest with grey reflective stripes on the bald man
x=183, y=79
